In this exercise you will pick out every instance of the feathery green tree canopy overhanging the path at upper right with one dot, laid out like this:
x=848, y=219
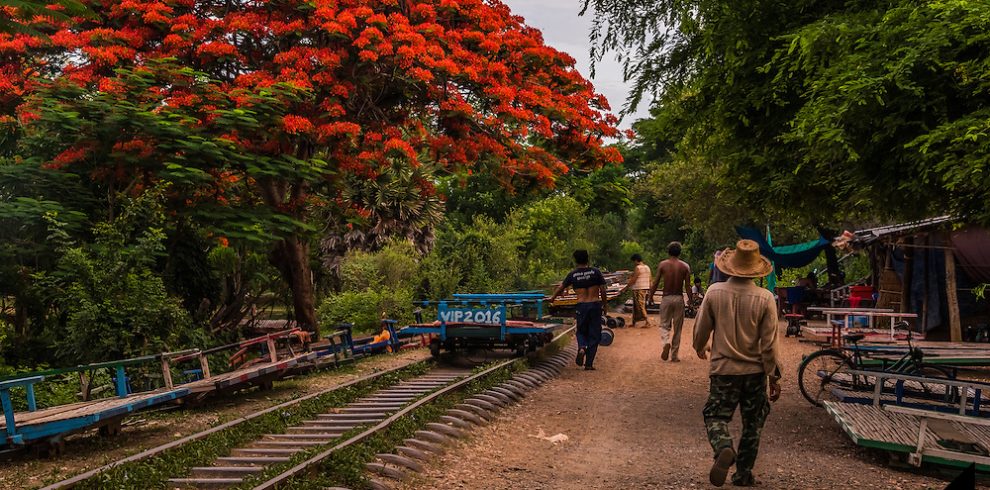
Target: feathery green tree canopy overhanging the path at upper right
x=807, y=112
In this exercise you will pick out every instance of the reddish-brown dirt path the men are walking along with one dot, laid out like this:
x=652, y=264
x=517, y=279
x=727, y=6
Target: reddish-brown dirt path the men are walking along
x=636, y=423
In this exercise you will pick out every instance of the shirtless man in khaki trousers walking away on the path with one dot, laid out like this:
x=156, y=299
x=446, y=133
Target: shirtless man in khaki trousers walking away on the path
x=676, y=277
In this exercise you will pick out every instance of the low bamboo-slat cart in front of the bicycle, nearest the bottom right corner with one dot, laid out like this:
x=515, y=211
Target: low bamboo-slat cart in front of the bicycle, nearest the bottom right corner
x=952, y=432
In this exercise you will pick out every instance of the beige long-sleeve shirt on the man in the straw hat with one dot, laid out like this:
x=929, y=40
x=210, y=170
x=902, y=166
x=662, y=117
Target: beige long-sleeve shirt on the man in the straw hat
x=741, y=320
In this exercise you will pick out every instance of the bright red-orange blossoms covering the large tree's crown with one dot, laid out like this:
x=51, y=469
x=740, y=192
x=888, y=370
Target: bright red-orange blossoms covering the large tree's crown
x=460, y=83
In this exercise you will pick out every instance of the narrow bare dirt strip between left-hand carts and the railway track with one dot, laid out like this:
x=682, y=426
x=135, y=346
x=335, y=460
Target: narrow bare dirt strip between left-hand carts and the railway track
x=145, y=430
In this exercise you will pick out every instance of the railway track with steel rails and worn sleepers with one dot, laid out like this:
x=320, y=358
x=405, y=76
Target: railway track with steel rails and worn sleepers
x=372, y=413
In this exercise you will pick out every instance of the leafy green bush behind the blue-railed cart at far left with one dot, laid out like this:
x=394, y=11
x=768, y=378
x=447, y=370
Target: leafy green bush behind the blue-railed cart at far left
x=113, y=303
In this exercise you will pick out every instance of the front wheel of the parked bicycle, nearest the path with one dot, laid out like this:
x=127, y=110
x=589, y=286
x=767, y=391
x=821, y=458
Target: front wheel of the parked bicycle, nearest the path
x=824, y=371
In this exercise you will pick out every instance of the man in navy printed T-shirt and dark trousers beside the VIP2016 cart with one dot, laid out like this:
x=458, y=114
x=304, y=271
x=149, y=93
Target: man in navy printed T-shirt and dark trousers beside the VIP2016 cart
x=589, y=285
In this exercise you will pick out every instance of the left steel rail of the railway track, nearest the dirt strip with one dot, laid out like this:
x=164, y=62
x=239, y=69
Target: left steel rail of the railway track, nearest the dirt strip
x=75, y=480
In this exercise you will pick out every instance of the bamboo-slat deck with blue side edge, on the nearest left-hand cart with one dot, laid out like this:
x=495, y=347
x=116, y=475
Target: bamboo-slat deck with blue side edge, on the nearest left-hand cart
x=75, y=417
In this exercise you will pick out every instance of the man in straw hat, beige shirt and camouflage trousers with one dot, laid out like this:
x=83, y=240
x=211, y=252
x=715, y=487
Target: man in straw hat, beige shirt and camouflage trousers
x=743, y=319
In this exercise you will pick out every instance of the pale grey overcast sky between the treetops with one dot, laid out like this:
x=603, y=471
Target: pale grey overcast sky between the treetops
x=565, y=30
